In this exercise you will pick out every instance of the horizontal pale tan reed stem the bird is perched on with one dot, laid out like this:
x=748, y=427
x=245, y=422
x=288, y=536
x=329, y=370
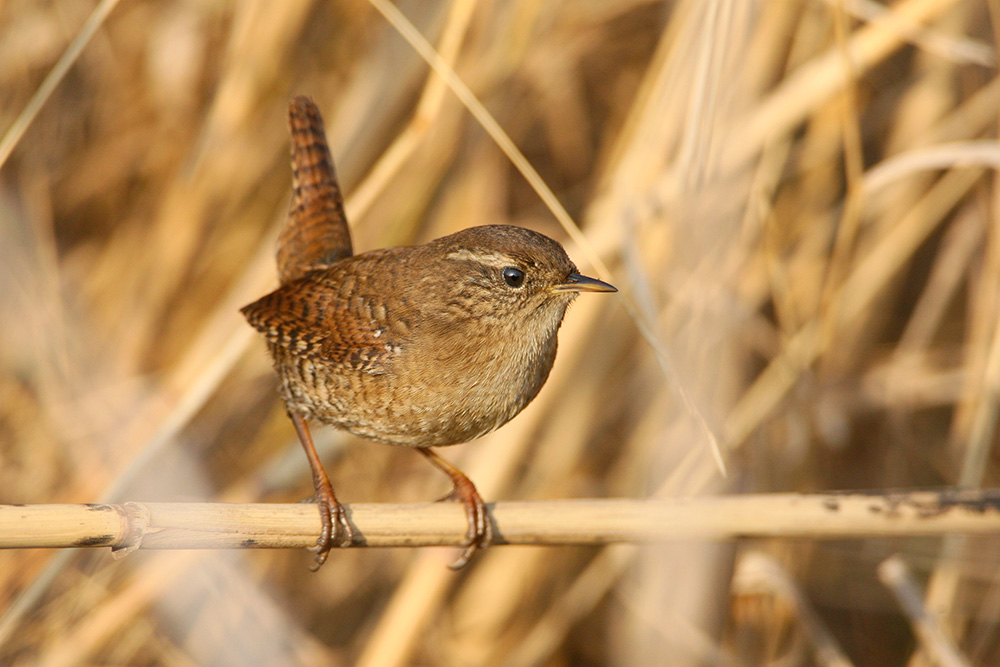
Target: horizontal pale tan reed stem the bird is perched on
x=132, y=525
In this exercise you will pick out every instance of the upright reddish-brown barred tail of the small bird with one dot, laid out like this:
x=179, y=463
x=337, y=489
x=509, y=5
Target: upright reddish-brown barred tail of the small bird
x=315, y=233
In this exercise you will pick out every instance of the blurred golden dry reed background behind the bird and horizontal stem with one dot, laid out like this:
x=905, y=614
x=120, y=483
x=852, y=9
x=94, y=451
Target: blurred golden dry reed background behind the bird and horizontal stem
x=798, y=198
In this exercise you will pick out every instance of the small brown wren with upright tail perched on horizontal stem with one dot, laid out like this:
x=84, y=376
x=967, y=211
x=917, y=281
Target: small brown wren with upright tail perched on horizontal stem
x=423, y=346
